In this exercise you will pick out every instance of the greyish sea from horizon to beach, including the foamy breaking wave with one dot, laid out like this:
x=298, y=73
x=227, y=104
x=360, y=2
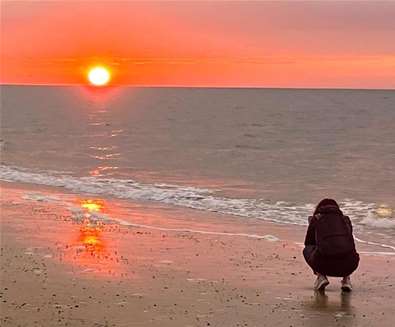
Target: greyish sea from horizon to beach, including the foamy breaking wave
x=252, y=153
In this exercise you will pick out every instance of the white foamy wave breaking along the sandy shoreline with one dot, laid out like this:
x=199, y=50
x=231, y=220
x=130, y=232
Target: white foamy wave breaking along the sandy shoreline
x=363, y=214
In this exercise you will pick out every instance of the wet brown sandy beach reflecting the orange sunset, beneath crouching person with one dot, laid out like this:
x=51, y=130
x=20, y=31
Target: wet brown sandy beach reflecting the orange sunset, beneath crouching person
x=153, y=265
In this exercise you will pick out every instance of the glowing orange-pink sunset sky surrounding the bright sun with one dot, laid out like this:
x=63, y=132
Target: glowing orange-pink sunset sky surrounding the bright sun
x=201, y=43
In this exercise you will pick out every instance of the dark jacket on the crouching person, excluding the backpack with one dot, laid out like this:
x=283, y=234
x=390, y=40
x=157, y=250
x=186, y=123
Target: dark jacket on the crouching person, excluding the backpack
x=329, y=266
